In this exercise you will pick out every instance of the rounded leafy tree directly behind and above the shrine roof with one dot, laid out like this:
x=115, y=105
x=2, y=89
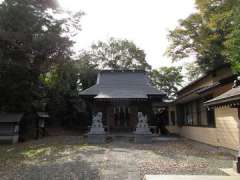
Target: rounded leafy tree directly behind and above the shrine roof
x=118, y=55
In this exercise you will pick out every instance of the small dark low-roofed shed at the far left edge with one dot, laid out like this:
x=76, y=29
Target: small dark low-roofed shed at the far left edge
x=9, y=127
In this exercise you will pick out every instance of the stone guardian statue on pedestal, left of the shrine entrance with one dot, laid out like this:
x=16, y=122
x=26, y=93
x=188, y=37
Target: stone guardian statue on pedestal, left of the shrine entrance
x=97, y=134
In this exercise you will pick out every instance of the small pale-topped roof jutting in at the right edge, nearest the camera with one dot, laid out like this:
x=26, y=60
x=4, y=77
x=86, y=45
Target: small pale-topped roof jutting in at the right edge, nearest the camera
x=230, y=97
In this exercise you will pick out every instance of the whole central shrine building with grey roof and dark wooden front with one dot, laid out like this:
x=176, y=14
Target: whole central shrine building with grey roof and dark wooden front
x=120, y=95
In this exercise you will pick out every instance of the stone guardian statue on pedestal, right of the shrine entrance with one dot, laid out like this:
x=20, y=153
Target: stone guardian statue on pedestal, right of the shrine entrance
x=142, y=133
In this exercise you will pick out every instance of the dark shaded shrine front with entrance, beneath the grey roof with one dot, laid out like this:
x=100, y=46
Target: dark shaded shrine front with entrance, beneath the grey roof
x=121, y=116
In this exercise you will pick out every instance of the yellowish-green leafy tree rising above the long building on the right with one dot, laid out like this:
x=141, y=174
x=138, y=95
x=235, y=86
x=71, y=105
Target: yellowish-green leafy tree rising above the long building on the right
x=204, y=33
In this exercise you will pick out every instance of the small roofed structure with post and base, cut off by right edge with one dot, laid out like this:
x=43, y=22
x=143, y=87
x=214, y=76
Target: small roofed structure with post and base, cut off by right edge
x=231, y=99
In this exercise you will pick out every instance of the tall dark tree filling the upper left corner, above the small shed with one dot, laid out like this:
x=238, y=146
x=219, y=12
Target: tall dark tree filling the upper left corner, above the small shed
x=32, y=41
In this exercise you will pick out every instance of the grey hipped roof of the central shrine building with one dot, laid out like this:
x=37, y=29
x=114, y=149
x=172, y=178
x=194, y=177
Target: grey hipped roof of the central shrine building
x=122, y=85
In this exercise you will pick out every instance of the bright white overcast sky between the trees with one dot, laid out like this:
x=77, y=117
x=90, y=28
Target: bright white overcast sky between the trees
x=145, y=22
